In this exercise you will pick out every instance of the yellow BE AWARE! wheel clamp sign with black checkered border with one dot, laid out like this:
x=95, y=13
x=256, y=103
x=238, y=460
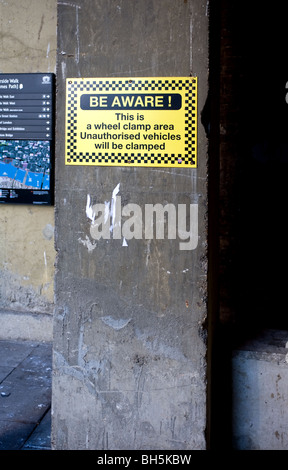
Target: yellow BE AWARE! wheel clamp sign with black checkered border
x=148, y=122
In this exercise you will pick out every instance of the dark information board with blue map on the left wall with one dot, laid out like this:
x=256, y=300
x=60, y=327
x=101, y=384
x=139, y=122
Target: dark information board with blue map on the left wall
x=26, y=138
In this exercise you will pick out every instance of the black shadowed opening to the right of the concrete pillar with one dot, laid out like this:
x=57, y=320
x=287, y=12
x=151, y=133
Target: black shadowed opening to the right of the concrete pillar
x=253, y=154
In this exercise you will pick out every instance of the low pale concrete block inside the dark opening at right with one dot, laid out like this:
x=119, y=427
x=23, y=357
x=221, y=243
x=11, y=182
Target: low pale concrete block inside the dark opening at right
x=260, y=398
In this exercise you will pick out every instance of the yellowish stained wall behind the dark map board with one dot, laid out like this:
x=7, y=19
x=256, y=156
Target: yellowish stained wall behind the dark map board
x=27, y=255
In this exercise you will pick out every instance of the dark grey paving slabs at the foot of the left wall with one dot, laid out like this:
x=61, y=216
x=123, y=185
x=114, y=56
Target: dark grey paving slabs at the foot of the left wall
x=25, y=395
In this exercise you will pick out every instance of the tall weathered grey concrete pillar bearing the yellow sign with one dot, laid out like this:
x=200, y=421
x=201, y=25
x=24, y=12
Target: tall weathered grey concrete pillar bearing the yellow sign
x=129, y=326
